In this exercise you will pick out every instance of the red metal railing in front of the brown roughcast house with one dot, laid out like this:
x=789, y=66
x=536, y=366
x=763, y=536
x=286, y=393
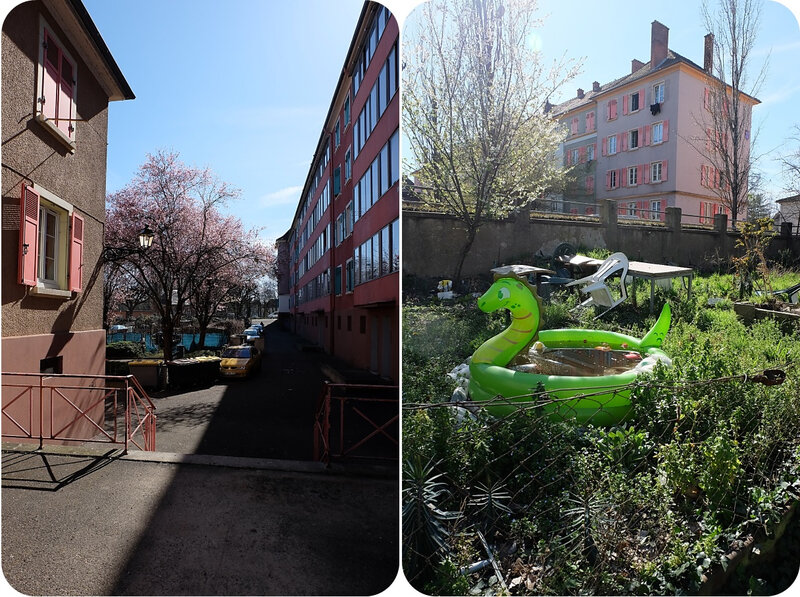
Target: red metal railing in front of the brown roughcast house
x=78, y=408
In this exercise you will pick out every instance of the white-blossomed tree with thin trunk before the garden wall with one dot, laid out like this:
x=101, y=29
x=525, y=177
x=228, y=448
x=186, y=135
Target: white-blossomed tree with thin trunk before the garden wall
x=474, y=96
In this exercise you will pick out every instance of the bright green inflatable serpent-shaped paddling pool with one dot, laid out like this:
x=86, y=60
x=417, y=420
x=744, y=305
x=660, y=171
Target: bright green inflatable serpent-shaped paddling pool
x=601, y=400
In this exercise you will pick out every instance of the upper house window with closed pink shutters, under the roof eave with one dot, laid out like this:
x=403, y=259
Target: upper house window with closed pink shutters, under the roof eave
x=56, y=82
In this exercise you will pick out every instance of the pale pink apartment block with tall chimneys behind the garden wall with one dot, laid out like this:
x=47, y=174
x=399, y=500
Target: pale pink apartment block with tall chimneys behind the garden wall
x=645, y=139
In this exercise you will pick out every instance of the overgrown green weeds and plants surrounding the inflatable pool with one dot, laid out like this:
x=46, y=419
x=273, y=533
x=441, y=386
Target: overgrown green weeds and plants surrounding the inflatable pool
x=708, y=458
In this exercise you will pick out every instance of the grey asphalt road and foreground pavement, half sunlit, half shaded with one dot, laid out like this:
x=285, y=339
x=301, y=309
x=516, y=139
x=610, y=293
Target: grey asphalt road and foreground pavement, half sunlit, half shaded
x=231, y=503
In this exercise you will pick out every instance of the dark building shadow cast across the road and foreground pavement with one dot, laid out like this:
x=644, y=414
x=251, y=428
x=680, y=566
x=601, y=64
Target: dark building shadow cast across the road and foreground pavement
x=262, y=532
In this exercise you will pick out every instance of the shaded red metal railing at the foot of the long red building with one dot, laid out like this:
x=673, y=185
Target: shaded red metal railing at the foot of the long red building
x=352, y=396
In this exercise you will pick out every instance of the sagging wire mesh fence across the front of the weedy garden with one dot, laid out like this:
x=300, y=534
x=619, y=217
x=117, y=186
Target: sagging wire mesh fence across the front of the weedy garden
x=527, y=503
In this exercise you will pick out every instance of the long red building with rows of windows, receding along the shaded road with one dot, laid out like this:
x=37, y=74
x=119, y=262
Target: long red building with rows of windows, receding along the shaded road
x=340, y=283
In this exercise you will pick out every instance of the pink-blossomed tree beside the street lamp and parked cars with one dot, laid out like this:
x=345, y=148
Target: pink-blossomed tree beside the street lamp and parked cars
x=197, y=253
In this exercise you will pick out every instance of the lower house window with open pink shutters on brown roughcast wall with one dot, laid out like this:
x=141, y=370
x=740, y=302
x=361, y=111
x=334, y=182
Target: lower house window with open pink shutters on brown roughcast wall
x=50, y=243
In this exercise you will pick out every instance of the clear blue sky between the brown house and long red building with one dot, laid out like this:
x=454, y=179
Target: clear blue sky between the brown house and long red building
x=241, y=86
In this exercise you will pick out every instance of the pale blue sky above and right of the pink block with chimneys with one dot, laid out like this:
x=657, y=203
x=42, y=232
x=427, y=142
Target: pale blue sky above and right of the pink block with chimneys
x=608, y=35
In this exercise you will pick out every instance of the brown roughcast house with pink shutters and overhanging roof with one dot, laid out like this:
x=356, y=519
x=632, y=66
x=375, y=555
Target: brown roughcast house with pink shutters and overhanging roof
x=58, y=78
